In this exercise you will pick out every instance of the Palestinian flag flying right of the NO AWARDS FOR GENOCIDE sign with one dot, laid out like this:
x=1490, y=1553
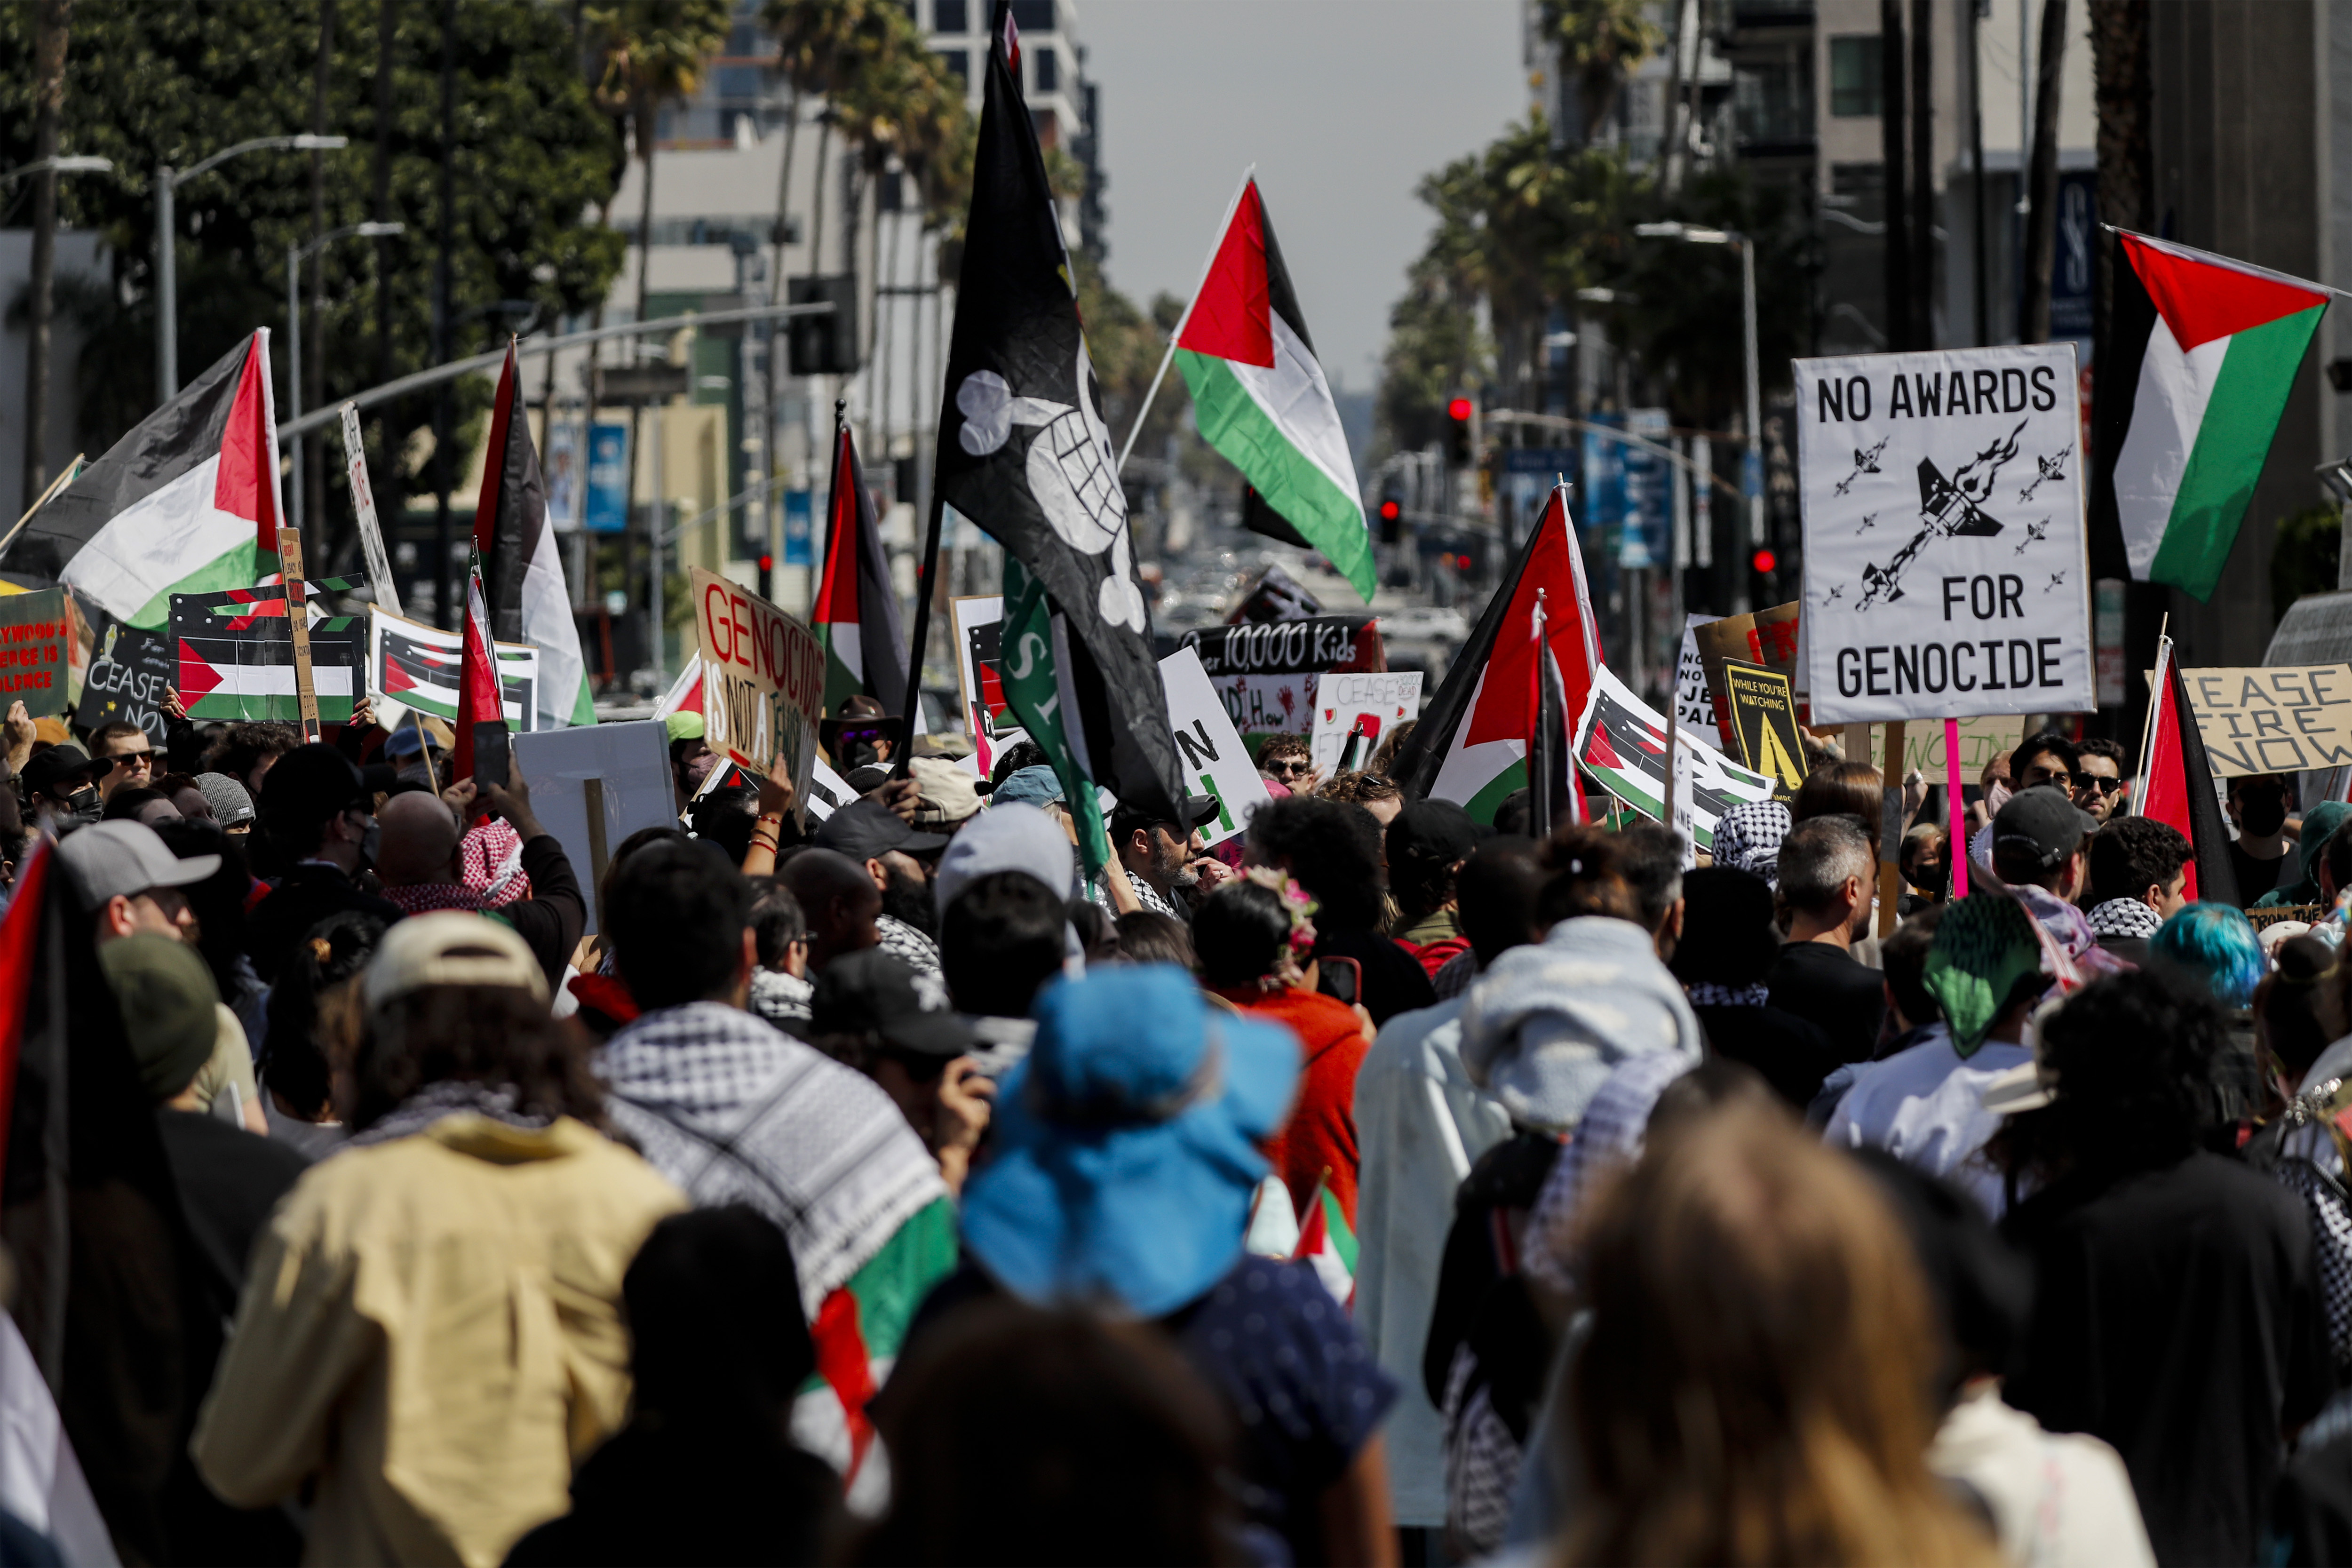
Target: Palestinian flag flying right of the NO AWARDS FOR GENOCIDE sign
x=2191, y=389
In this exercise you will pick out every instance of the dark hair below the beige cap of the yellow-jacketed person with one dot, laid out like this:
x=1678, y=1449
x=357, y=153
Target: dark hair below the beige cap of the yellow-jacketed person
x=493, y=1036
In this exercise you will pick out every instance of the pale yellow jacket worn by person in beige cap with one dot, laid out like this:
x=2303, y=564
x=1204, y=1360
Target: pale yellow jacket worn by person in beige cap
x=432, y=1329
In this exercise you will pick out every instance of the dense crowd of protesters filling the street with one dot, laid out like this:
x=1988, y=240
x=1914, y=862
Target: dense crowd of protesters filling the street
x=1372, y=1186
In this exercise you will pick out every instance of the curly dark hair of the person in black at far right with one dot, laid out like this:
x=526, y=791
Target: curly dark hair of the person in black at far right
x=2134, y=1059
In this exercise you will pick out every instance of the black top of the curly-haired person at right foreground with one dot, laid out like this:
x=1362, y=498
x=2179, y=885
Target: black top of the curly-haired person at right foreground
x=2177, y=1318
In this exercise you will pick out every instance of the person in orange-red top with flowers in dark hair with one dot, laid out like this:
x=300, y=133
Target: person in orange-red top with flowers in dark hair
x=1255, y=942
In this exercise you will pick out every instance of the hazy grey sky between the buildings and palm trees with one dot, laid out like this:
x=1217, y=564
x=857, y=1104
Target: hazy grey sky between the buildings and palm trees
x=1344, y=107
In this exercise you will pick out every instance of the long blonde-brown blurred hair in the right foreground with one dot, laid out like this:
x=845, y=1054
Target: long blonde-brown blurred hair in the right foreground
x=1760, y=1376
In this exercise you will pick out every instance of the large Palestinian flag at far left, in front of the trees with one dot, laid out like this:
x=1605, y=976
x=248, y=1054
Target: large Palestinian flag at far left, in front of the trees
x=182, y=504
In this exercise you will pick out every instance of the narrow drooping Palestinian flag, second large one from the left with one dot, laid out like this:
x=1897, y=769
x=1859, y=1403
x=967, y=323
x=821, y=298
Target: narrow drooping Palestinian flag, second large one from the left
x=523, y=575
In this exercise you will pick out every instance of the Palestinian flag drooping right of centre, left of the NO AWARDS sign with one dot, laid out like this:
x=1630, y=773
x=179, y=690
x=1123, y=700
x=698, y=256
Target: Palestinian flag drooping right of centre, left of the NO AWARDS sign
x=1474, y=742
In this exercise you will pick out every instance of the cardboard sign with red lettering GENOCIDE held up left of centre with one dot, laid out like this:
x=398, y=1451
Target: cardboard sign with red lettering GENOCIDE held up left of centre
x=763, y=681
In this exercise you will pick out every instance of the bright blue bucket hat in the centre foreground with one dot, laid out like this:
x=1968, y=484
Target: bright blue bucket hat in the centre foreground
x=1128, y=1144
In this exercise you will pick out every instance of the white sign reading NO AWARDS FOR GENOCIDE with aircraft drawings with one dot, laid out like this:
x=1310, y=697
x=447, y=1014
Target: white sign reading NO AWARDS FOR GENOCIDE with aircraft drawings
x=1944, y=535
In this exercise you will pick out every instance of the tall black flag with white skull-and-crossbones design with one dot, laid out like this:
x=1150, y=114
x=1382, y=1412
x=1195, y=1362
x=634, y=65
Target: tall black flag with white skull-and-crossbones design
x=1024, y=450
